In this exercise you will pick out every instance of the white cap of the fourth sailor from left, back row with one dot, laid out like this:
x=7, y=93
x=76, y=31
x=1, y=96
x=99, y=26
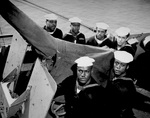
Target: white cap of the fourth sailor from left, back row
x=122, y=31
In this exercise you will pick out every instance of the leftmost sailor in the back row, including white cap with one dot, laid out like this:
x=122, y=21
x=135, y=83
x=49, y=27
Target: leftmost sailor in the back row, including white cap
x=51, y=26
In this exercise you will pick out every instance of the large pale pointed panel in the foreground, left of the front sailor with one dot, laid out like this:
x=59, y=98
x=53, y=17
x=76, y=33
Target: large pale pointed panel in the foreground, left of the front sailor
x=43, y=88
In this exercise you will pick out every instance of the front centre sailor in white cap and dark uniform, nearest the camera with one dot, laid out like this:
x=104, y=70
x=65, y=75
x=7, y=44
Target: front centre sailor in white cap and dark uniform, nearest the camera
x=81, y=92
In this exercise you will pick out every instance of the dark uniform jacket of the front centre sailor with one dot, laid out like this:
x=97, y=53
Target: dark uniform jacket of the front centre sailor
x=88, y=103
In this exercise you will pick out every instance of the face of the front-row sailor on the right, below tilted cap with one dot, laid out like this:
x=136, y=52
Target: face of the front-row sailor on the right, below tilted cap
x=119, y=67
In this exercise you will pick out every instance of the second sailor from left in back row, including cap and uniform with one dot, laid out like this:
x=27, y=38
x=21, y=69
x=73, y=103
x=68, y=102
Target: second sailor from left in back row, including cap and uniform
x=74, y=35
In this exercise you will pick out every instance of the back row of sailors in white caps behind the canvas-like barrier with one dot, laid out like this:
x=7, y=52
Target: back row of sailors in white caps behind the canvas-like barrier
x=100, y=39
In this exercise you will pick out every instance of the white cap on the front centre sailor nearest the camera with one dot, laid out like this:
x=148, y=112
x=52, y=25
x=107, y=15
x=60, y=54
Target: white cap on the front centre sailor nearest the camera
x=84, y=61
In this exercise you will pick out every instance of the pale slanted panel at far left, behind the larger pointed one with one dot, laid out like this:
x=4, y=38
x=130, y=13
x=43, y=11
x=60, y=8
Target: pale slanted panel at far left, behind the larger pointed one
x=15, y=55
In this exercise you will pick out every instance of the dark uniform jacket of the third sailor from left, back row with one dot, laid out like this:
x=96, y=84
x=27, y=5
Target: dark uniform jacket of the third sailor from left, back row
x=108, y=41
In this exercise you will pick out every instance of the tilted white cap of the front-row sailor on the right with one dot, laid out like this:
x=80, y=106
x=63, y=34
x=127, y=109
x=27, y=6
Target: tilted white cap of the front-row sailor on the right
x=123, y=56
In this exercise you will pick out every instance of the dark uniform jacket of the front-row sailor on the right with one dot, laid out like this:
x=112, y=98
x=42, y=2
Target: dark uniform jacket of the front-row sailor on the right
x=121, y=93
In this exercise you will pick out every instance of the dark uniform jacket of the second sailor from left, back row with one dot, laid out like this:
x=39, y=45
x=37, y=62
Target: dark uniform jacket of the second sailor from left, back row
x=79, y=38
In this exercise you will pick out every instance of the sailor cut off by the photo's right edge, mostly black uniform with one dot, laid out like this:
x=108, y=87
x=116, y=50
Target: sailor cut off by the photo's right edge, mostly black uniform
x=142, y=65
